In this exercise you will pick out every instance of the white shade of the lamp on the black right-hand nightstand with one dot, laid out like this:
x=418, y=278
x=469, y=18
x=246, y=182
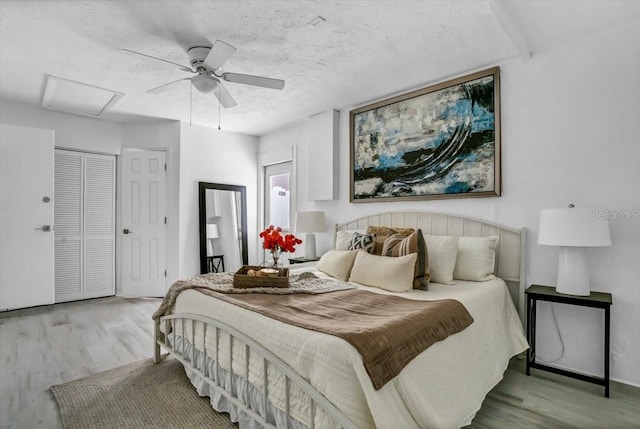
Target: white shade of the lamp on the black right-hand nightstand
x=573, y=227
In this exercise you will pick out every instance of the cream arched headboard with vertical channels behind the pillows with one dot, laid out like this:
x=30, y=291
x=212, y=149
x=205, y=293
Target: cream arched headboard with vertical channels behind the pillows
x=510, y=256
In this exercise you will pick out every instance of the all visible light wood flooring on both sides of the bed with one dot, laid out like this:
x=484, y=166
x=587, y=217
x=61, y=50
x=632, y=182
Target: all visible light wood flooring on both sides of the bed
x=53, y=344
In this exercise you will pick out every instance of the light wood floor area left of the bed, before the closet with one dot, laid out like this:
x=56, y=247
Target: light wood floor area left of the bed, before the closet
x=52, y=344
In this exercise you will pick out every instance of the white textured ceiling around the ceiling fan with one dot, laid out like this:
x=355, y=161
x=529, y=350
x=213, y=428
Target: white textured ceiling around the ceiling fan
x=364, y=50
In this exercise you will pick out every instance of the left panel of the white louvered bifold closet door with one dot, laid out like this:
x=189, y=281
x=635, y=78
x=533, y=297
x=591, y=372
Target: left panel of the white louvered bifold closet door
x=68, y=185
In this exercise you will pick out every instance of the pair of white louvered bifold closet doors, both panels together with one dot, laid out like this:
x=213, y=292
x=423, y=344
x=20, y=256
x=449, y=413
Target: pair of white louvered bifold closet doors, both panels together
x=84, y=215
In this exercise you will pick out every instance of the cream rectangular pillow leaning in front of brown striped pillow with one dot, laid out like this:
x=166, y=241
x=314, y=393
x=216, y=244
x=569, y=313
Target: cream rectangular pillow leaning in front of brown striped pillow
x=386, y=272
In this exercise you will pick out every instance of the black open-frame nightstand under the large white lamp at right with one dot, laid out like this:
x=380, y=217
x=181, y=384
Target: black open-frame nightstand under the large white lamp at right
x=601, y=300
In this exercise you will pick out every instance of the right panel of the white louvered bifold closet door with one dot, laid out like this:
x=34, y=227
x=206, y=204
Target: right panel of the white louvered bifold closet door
x=99, y=225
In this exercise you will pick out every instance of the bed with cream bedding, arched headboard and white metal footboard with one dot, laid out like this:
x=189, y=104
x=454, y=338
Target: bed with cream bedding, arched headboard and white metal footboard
x=266, y=373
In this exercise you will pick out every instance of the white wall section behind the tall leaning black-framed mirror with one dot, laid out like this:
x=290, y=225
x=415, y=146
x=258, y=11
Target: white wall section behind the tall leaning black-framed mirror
x=211, y=155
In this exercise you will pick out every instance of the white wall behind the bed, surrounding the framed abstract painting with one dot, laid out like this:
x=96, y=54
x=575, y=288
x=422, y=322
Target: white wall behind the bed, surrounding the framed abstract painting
x=570, y=127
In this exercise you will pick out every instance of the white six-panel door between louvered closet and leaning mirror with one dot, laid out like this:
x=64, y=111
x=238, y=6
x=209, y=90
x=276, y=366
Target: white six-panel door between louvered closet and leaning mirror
x=144, y=219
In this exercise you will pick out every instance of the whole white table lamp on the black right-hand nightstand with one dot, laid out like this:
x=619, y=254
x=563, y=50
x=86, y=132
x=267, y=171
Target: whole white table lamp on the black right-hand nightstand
x=573, y=229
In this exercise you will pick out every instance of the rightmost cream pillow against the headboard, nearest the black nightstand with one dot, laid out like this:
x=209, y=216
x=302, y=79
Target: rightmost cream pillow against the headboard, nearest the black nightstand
x=476, y=258
